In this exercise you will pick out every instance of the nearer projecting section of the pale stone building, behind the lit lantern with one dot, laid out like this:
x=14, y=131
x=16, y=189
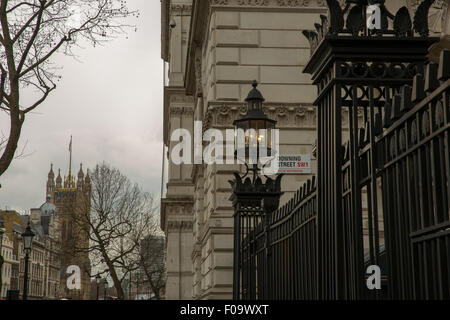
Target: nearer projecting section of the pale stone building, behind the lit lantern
x=234, y=43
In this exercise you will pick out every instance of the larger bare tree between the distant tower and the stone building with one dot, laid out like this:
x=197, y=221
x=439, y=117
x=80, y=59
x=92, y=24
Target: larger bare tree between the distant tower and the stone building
x=115, y=220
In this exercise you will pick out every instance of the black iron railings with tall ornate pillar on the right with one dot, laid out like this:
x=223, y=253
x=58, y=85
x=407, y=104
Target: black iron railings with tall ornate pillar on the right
x=382, y=195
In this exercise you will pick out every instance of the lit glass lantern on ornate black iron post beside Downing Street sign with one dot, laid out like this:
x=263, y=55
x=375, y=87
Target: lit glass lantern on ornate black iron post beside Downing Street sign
x=253, y=201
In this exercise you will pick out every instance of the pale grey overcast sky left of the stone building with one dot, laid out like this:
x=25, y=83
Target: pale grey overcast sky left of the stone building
x=110, y=101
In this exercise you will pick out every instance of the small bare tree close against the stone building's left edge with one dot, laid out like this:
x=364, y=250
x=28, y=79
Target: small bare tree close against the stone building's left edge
x=152, y=262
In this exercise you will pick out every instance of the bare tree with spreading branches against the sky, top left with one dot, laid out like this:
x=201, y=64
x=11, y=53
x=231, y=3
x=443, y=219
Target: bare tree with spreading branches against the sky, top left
x=31, y=33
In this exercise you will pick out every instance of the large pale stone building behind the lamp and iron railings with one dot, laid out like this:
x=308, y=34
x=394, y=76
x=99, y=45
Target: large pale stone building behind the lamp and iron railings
x=214, y=49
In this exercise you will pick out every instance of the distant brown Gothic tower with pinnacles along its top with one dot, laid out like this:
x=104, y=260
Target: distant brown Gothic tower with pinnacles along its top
x=72, y=199
